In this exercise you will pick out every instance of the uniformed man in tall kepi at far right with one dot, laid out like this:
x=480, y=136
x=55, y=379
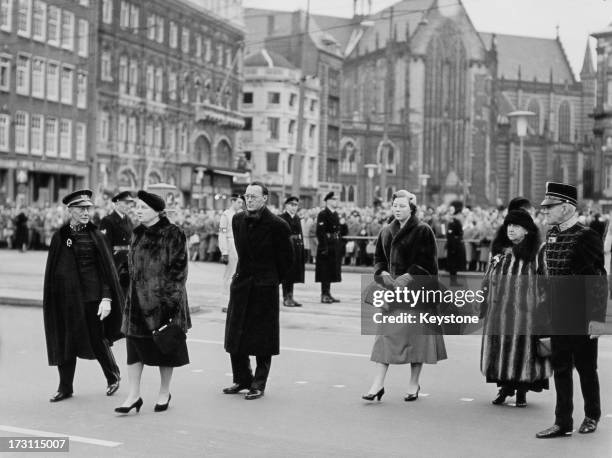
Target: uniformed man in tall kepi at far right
x=577, y=299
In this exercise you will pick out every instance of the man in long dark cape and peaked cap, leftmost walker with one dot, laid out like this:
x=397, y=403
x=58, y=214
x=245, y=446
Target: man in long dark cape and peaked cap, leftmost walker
x=82, y=298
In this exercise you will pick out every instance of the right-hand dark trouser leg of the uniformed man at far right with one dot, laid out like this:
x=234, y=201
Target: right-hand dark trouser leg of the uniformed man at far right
x=585, y=360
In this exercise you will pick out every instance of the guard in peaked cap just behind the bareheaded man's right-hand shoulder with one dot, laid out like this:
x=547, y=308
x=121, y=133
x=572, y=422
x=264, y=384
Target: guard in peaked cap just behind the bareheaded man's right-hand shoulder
x=296, y=273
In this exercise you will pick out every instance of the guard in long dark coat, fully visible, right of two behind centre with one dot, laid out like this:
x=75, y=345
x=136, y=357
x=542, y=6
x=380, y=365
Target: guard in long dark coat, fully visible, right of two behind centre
x=328, y=267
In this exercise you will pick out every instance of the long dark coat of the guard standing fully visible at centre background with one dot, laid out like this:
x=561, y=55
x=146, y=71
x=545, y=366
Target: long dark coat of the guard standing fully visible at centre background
x=329, y=249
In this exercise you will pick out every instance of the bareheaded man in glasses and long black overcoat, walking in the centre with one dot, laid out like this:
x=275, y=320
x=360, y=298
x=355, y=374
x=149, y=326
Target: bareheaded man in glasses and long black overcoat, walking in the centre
x=252, y=324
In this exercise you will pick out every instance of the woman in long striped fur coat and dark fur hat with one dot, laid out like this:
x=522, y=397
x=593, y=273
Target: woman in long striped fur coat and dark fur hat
x=513, y=311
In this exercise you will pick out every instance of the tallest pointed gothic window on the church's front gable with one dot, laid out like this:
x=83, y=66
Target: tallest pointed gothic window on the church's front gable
x=446, y=69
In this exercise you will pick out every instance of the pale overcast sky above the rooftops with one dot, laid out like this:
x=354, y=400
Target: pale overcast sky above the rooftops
x=576, y=19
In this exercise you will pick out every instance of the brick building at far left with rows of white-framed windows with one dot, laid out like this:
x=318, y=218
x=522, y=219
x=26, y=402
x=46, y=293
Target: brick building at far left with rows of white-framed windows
x=47, y=87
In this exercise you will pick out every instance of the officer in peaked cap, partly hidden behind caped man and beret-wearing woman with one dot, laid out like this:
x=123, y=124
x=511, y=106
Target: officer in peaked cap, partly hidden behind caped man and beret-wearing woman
x=118, y=228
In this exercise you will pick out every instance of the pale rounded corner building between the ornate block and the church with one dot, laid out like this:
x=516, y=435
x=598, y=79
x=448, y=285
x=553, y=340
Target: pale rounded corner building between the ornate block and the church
x=270, y=105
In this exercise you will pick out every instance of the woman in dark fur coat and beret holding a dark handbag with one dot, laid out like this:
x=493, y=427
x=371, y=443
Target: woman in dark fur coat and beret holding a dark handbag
x=157, y=295
